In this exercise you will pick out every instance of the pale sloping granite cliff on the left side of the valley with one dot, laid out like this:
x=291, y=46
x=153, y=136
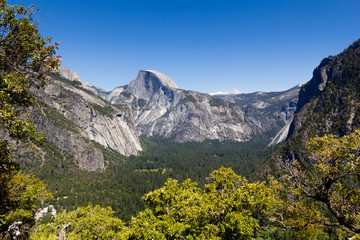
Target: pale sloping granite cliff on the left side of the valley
x=73, y=118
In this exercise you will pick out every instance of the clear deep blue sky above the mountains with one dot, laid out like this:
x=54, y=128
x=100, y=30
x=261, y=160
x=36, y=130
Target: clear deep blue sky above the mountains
x=203, y=45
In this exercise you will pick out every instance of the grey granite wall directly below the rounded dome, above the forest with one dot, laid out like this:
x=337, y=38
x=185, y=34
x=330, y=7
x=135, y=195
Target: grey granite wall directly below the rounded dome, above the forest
x=191, y=116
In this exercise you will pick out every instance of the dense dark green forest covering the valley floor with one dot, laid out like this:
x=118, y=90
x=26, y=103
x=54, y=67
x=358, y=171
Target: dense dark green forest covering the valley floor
x=127, y=179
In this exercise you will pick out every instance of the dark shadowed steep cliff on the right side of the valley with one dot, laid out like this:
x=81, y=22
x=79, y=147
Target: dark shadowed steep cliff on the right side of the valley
x=328, y=103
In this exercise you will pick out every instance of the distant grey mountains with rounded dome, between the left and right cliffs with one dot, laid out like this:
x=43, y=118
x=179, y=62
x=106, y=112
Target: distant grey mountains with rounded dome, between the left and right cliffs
x=160, y=108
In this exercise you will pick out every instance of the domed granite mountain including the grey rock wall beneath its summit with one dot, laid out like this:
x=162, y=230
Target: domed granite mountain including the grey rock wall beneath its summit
x=160, y=108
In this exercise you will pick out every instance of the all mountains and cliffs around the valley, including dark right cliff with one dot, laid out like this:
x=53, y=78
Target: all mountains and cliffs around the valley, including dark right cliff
x=80, y=119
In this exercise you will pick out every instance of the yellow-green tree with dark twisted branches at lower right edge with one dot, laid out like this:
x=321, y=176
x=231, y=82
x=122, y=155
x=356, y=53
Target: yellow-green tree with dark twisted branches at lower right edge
x=325, y=193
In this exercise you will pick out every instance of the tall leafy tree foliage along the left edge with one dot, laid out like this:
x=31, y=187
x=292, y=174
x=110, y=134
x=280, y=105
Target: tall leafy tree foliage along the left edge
x=25, y=58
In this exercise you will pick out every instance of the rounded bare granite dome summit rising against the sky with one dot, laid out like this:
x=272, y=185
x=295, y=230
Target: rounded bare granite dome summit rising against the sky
x=148, y=82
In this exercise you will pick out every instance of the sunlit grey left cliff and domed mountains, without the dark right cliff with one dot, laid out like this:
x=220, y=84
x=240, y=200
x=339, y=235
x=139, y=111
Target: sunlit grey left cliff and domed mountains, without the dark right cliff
x=76, y=119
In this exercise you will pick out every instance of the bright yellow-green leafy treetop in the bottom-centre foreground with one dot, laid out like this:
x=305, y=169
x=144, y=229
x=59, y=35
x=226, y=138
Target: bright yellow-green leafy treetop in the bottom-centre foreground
x=226, y=209
